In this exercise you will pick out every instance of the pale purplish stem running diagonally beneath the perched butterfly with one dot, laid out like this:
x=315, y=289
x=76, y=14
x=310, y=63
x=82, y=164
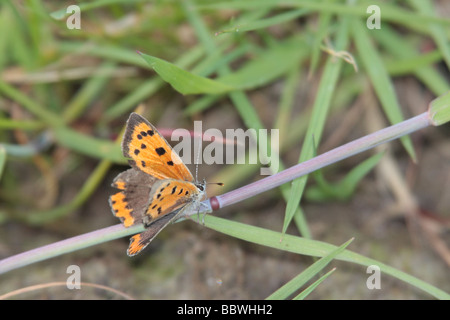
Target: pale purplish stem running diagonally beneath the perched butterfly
x=232, y=197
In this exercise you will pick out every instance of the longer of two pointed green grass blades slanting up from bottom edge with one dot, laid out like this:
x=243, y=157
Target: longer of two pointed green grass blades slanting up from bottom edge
x=296, y=283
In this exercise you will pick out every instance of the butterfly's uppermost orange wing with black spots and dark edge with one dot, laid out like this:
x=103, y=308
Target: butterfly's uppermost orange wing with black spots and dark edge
x=150, y=152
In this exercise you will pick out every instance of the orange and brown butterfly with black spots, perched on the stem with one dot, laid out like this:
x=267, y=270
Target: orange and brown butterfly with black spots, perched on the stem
x=157, y=188
